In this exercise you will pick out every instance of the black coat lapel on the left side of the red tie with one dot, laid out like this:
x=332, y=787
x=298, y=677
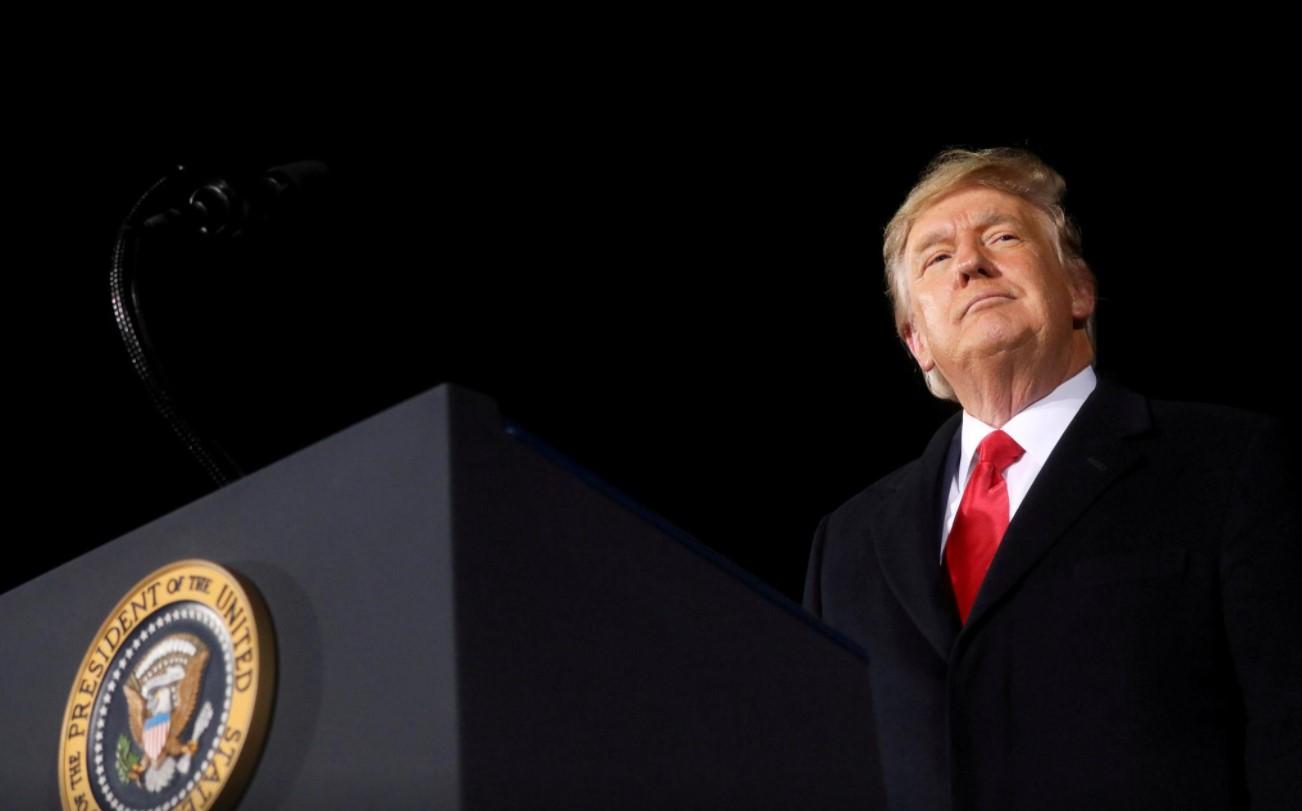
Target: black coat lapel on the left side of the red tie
x=908, y=545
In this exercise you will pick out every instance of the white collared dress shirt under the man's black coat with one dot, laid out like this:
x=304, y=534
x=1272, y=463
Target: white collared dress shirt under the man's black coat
x=1037, y=429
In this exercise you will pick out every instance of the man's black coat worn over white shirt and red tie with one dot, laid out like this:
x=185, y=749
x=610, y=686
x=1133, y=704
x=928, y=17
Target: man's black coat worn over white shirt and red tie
x=1136, y=644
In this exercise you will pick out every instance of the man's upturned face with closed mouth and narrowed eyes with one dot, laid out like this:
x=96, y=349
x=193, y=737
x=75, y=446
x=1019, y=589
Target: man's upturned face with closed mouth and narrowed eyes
x=985, y=279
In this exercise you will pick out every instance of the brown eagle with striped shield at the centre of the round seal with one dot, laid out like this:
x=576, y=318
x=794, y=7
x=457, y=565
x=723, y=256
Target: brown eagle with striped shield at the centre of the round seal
x=162, y=696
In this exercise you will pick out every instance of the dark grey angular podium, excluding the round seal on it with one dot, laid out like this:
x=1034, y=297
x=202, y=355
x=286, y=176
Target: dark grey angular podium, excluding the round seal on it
x=467, y=620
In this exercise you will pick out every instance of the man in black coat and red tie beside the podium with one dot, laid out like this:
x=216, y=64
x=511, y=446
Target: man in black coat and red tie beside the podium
x=1076, y=598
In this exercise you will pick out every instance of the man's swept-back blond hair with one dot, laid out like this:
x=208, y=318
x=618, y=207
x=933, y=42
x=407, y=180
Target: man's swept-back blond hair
x=1006, y=170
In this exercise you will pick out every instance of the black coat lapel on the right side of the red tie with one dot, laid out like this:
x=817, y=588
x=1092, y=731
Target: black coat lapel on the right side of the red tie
x=1090, y=456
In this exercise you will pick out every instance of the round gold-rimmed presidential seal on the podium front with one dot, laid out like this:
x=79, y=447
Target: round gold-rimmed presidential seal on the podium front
x=171, y=704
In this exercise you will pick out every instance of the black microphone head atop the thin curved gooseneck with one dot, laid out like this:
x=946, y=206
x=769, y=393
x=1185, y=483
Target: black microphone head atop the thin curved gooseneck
x=223, y=208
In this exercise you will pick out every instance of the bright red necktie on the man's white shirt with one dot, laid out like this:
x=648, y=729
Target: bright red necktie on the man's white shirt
x=982, y=519
